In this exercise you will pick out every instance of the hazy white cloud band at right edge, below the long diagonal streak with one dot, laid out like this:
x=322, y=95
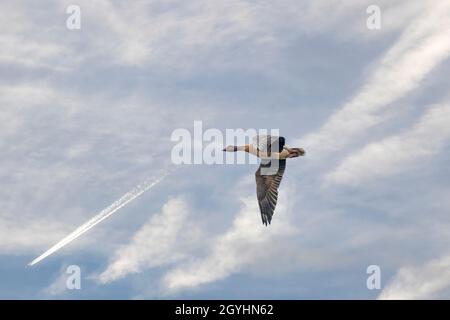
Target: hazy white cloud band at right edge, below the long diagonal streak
x=397, y=153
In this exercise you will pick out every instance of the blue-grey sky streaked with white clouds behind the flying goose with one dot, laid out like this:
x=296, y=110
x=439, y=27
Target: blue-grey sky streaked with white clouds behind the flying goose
x=87, y=114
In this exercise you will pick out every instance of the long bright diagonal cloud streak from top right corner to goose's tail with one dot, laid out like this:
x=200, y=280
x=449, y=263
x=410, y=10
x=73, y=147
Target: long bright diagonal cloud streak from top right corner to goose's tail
x=421, y=48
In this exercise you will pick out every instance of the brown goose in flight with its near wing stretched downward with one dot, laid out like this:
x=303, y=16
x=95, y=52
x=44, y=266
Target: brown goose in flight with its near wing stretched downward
x=273, y=154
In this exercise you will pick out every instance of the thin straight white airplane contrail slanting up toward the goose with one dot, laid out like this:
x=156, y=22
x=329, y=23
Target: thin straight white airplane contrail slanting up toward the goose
x=105, y=213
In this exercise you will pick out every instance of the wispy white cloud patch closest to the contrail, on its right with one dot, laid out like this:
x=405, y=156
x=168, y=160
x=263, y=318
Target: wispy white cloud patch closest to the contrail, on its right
x=164, y=239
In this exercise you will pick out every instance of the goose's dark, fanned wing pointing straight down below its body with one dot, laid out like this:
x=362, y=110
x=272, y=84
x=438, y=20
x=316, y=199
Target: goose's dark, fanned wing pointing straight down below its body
x=267, y=189
